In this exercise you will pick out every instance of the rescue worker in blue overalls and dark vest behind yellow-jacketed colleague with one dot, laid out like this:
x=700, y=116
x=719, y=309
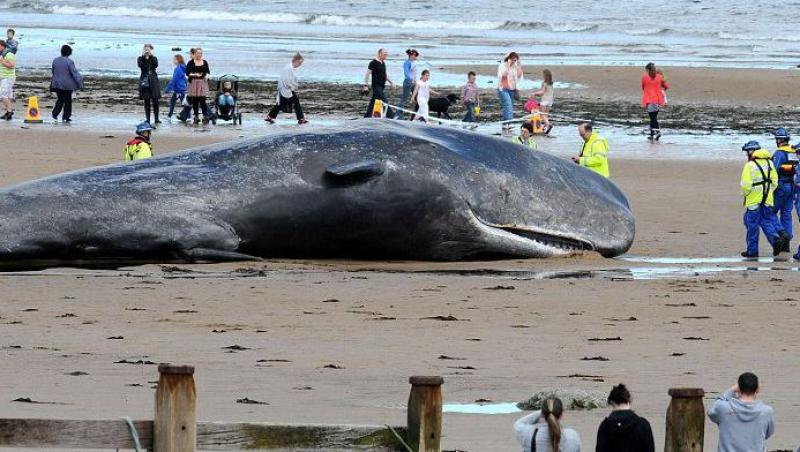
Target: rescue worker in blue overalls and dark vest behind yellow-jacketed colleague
x=785, y=161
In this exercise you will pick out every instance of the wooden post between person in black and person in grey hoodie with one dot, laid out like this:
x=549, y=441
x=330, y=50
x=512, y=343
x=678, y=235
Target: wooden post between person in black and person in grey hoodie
x=686, y=419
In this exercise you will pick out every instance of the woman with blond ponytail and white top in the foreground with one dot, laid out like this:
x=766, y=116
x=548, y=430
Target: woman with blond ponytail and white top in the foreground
x=541, y=431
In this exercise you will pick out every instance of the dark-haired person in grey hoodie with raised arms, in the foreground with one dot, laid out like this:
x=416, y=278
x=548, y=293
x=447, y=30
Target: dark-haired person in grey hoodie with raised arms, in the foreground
x=745, y=423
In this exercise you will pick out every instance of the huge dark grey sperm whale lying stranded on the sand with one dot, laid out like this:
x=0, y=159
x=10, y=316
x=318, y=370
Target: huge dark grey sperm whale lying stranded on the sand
x=375, y=189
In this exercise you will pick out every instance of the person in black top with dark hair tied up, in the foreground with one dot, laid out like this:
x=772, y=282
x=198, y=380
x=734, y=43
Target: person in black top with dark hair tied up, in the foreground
x=623, y=430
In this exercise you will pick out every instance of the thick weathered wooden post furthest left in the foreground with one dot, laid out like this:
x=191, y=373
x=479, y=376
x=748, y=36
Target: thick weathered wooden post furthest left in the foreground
x=174, y=427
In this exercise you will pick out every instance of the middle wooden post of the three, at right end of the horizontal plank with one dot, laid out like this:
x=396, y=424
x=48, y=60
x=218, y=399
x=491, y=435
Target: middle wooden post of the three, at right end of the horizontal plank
x=425, y=414
